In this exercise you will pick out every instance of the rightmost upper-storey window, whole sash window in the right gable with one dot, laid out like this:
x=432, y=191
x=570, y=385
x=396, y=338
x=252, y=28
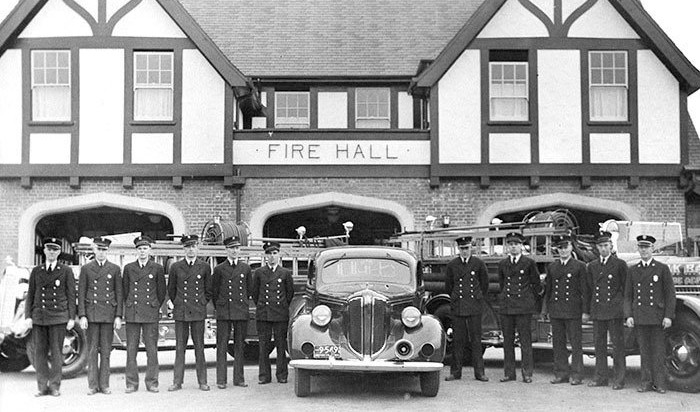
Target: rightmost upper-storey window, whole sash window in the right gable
x=608, y=85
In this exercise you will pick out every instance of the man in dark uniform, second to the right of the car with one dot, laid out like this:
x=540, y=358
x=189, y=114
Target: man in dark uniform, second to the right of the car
x=519, y=287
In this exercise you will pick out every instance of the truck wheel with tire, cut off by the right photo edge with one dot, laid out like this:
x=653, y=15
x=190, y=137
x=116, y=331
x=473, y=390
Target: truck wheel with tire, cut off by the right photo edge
x=683, y=353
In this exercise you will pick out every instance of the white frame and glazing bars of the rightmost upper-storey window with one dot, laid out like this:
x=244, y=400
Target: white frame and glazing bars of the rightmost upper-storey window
x=602, y=84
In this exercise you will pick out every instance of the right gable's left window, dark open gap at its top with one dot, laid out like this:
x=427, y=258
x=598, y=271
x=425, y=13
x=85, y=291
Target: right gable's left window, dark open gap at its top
x=508, y=85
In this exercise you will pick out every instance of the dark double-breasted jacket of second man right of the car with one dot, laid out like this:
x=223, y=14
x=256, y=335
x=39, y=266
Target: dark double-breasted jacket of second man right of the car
x=520, y=284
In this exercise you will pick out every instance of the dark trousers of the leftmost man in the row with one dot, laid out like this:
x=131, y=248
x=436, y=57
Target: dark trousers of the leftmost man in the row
x=48, y=356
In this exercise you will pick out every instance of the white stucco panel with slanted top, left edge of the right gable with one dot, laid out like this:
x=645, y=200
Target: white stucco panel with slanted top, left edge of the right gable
x=459, y=111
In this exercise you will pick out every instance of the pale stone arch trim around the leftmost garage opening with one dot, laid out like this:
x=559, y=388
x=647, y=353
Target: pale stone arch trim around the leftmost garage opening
x=30, y=220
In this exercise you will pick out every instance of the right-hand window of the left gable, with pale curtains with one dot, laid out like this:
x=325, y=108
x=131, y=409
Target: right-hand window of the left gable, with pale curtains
x=153, y=86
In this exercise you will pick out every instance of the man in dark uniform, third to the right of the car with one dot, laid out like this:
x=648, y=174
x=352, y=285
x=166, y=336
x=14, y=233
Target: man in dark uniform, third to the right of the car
x=564, y=303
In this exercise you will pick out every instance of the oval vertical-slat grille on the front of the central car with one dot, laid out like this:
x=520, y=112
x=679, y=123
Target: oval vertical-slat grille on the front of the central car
x=367, y=323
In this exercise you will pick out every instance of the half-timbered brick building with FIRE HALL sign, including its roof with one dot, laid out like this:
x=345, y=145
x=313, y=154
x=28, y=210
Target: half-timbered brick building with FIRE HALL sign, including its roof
x=155, y=116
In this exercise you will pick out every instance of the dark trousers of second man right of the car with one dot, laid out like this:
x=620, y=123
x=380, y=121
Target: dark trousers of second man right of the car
x=521, y=323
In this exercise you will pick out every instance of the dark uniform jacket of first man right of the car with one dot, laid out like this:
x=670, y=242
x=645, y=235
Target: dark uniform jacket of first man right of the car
x=467, y=284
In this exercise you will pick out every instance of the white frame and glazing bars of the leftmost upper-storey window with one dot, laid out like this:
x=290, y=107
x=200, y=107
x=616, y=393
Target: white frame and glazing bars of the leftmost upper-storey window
x=56, y=84
